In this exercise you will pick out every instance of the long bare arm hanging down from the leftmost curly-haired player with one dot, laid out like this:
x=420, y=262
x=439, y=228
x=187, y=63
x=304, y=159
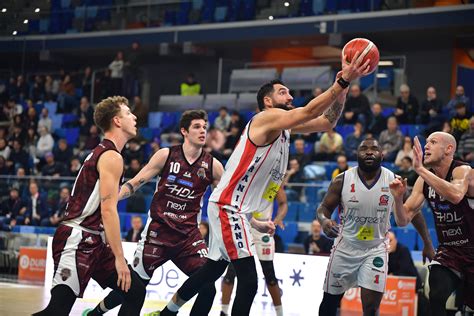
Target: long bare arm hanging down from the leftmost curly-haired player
x=110, y=168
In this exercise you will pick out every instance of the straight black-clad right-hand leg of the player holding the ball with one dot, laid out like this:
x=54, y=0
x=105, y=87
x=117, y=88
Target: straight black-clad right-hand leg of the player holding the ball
x=247, y=283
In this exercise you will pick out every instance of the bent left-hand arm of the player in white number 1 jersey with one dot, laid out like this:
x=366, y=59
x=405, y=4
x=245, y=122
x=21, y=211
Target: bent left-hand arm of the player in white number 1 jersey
x=331, y=200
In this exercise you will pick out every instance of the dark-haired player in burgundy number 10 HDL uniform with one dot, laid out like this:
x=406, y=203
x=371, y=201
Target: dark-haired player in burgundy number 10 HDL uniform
x=171, y=231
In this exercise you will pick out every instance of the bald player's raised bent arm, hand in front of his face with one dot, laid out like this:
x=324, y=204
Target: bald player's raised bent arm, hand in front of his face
x=453, y=191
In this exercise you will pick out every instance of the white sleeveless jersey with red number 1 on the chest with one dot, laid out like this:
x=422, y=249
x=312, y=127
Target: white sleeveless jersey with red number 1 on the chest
x=366, y=210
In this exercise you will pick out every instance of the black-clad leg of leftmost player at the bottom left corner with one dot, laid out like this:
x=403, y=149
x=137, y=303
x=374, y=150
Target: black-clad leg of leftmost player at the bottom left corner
x=61, y=302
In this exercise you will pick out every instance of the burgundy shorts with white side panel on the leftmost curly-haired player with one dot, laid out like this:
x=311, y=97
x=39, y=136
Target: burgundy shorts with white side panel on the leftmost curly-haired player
x=79, y=256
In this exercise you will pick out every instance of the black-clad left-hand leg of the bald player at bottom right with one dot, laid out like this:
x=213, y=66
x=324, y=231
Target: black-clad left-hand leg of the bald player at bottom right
x=442, y=283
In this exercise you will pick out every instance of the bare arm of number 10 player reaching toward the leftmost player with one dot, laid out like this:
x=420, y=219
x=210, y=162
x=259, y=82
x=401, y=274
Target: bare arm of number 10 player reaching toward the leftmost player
x=148, y=172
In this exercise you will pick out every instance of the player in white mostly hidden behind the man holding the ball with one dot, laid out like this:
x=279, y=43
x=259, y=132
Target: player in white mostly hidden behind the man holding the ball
x=265, y=250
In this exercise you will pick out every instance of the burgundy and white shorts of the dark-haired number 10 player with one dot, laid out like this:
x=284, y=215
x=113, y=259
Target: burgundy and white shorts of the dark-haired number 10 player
x=188, y=255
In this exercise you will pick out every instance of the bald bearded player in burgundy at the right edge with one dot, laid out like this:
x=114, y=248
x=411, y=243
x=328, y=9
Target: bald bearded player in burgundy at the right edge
x=448, y=186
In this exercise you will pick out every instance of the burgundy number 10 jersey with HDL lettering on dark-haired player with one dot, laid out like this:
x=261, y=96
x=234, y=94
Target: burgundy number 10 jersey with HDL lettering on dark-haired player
x=178, y=198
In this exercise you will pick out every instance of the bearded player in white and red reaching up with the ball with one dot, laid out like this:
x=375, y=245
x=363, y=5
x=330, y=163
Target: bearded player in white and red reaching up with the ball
x=252, y=178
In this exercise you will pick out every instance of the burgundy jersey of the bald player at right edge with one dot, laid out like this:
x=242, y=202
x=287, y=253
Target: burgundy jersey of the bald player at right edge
x=454, y=222
